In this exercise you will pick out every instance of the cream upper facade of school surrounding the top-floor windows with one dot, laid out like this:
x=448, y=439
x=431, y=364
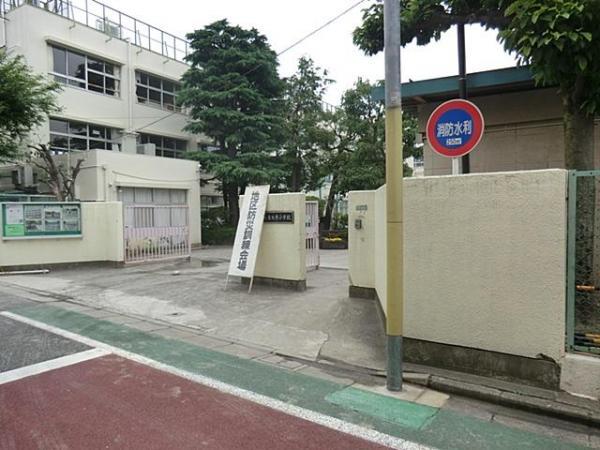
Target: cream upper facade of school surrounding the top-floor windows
x=31, y=29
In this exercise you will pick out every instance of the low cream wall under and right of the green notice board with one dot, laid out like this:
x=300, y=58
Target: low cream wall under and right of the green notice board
x=102, y=240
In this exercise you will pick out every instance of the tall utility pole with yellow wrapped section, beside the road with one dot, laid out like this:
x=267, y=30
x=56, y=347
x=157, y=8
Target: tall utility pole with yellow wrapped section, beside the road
x=394, y=202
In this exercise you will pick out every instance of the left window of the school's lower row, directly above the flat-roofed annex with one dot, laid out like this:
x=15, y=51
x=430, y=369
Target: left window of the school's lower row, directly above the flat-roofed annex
x=66, y=136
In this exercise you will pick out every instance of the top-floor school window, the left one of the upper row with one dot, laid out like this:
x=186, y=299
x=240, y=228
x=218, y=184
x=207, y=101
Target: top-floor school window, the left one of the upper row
x=85, y=72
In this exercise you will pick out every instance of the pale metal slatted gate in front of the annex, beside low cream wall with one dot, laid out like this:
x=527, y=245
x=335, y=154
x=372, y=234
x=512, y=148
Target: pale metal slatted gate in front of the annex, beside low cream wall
x=153, y=232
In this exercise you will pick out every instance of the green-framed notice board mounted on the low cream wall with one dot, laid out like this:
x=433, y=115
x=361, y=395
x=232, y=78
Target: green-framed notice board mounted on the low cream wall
x=38, y=220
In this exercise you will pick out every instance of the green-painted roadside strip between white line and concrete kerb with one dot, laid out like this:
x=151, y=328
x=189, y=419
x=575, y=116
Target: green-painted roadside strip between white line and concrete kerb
x=421, y=415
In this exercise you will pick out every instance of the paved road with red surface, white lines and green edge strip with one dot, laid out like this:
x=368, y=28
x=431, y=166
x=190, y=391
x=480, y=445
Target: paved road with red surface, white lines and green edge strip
x=70, y=380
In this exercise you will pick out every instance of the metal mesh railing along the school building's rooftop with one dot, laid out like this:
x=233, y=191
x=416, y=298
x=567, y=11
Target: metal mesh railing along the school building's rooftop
x=112, y=22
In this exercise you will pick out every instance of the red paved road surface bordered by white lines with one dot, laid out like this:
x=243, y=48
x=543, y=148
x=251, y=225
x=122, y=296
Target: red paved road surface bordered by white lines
x=111, y=403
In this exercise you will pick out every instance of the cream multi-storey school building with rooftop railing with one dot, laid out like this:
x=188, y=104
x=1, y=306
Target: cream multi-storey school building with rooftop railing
x=119, y=112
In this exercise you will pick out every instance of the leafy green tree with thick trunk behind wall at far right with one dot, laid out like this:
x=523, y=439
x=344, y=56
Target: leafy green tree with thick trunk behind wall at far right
x=560, y=41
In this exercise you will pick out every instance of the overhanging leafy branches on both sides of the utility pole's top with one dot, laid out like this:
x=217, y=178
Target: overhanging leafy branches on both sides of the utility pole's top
x=426, y=20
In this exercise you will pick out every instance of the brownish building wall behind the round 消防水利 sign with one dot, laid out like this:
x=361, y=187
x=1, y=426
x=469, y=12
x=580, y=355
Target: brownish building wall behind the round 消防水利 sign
x=524, y=131
